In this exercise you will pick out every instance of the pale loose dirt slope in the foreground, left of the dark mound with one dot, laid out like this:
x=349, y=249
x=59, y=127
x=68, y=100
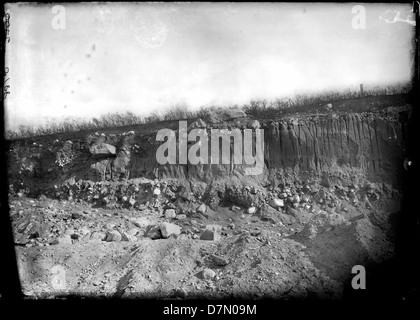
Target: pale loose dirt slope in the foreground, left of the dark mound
x=257, y=259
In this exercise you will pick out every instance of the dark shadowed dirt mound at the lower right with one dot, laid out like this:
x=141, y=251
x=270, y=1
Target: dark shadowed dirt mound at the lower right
x=335, y=244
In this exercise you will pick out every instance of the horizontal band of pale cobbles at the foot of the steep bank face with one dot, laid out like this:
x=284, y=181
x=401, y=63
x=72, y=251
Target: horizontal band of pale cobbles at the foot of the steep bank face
x=155, y=195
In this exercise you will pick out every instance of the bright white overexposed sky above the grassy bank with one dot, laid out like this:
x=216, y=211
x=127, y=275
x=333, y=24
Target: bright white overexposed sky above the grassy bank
x=147, y=57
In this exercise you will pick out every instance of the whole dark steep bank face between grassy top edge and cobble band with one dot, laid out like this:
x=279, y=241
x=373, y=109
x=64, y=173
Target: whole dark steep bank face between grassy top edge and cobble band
x=366, y=146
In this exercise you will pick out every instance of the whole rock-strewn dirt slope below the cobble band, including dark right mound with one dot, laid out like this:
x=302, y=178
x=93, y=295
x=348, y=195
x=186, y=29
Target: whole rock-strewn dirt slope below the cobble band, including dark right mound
x=273, y=252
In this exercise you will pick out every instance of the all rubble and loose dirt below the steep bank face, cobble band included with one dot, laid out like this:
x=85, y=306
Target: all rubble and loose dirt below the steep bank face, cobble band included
x=269, y=236
